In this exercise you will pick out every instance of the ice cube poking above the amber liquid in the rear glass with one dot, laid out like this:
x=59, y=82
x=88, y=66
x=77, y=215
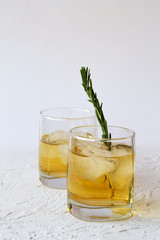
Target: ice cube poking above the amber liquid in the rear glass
x=58, y=137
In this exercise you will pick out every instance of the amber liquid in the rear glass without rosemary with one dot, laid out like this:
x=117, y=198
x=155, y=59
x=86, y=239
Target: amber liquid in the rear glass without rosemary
x=53, y=159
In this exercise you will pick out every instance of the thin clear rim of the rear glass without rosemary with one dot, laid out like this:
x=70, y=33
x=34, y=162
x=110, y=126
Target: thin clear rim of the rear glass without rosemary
x=42, y=113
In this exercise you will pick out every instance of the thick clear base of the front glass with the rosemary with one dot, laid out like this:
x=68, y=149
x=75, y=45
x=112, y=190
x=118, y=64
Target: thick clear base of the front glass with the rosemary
x=99, y=214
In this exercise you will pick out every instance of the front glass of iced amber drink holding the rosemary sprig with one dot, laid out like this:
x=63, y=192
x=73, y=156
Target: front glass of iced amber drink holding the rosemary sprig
x=100, y=183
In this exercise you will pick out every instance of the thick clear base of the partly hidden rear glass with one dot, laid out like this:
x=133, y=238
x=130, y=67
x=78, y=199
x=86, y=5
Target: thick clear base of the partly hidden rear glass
x=52, y=182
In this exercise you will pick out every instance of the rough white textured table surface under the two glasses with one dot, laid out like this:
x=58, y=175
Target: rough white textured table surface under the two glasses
x=29, y=210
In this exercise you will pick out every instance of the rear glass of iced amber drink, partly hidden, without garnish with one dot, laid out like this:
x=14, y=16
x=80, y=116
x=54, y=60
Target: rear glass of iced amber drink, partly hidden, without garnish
x=55, y=124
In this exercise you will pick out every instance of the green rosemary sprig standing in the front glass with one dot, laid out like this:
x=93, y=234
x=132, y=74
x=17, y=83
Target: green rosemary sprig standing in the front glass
x=87, y=85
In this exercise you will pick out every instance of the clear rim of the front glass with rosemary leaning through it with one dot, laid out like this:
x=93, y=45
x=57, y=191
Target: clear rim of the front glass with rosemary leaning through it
x=101, y=139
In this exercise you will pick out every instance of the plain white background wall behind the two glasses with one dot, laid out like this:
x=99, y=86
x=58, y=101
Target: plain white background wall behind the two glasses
x=43, y=44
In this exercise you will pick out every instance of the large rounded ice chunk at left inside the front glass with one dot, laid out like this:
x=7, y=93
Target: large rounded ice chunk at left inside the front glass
x=95, y=165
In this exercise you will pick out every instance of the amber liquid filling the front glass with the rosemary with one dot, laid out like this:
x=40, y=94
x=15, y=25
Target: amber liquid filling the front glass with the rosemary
x=95, y=187
